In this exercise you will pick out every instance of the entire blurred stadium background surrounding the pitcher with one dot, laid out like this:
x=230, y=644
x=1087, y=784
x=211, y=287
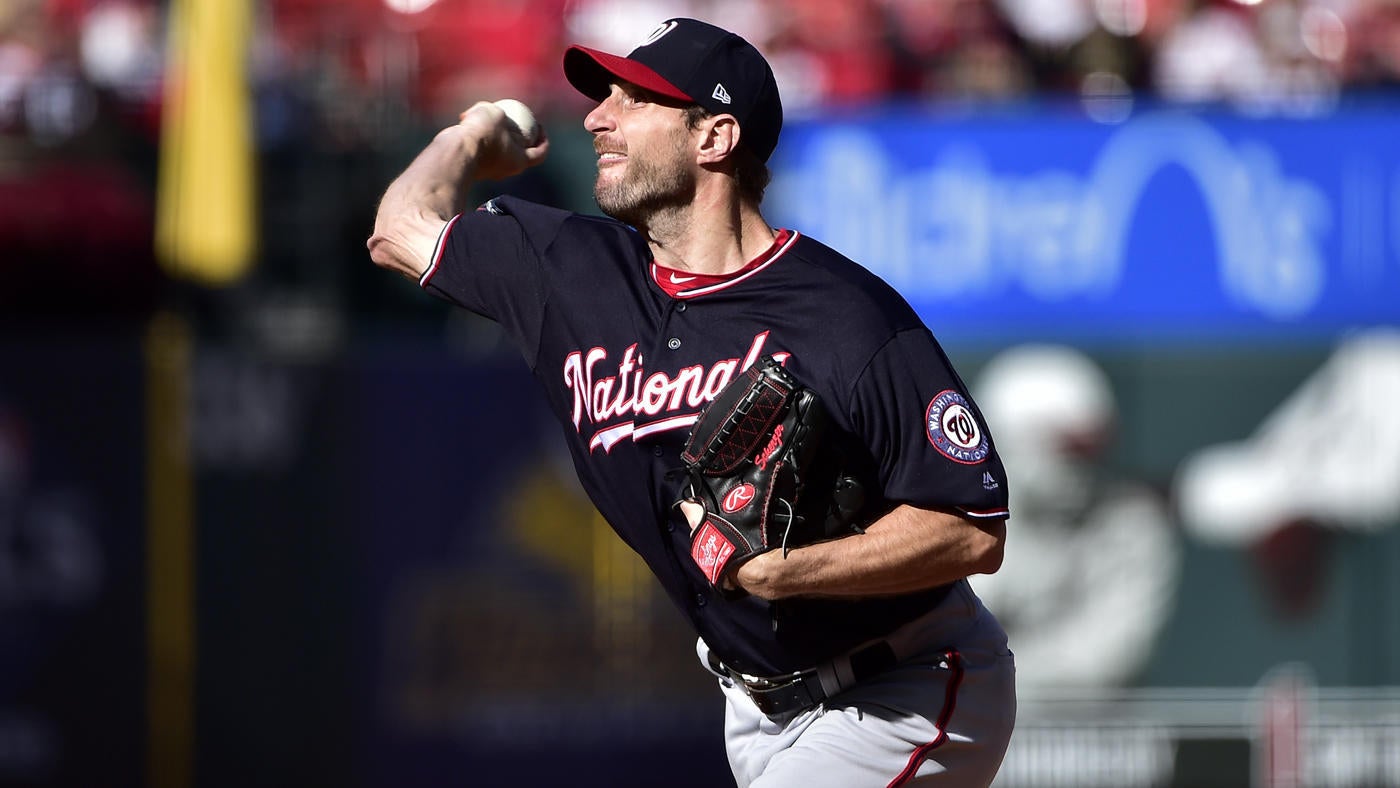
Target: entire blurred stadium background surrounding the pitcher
x=272, y=517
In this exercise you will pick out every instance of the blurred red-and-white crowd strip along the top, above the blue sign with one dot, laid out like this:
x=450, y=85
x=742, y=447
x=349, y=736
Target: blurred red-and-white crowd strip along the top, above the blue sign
x=61, y=61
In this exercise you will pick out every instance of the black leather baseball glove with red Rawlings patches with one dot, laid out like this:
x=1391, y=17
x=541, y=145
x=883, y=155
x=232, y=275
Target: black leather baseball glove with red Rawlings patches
x=761, y=470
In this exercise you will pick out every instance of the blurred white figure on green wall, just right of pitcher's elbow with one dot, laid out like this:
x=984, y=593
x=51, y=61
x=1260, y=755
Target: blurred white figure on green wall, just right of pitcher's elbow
x=1093, y=559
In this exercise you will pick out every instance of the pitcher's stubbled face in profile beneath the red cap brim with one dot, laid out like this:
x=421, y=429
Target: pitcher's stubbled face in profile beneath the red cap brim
x=645, y=155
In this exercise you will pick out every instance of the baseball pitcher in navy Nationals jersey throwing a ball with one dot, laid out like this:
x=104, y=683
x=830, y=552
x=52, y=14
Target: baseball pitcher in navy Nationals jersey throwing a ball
x=765, y=422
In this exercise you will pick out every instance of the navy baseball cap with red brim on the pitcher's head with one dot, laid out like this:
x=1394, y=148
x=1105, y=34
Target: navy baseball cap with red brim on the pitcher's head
x=698, y=64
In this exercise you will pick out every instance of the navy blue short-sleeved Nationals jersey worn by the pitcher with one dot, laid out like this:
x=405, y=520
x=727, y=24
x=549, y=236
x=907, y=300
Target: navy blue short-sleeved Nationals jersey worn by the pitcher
x=626, y=367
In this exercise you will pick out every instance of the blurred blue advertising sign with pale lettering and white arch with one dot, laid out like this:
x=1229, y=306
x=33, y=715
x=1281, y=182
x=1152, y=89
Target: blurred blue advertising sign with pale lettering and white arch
x=1172, y=226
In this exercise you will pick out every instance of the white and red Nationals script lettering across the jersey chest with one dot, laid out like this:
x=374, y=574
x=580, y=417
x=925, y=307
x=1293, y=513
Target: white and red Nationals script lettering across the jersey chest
x=632, y=404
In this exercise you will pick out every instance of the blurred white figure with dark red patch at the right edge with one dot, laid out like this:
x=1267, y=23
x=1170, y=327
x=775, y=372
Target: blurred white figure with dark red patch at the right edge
x=1325, y=463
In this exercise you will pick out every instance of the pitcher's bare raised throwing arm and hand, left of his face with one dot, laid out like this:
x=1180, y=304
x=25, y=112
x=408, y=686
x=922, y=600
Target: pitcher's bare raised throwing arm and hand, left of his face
x=432, y=191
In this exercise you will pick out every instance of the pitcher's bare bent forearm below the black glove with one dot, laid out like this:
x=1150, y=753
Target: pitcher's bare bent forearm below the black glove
x=909, y=549
